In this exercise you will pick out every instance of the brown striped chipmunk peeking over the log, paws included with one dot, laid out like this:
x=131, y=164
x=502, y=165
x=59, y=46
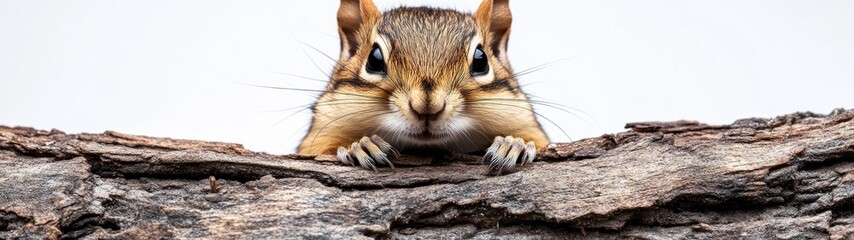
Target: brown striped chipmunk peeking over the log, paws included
x=423, y=78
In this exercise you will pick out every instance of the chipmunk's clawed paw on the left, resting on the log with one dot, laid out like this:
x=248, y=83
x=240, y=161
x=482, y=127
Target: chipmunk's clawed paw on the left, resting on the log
x=368, y=153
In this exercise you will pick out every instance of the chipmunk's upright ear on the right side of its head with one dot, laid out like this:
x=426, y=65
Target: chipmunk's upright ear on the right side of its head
x=495, y=17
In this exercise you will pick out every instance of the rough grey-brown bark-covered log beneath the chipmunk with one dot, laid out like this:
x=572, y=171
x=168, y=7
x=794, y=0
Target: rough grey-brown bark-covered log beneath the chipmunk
x=788, y=177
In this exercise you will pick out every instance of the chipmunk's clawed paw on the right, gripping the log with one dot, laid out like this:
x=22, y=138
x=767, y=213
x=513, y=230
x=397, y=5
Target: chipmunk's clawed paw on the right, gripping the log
x=507, y=152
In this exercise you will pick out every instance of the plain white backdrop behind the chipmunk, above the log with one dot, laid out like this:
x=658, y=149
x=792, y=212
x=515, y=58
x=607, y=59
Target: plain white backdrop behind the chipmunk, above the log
x=173, y=68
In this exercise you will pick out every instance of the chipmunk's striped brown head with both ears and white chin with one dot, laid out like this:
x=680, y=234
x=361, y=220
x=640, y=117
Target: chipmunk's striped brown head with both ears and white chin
x=430, y=67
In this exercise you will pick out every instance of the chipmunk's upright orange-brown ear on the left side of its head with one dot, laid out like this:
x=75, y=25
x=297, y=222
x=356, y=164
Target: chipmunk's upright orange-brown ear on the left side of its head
x=355, y=19
